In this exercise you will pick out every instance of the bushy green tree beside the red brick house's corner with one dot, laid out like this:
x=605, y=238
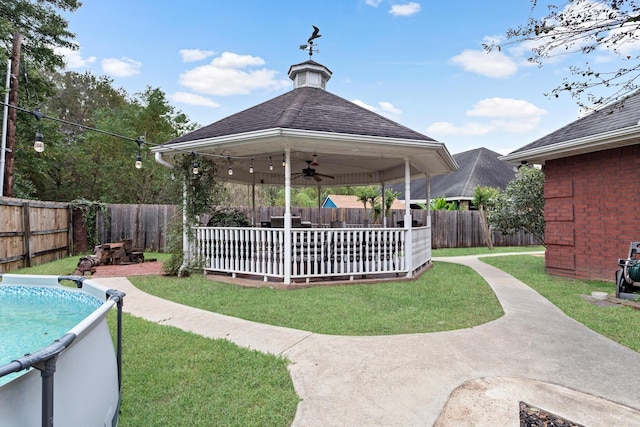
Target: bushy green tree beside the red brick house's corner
x=521, y=205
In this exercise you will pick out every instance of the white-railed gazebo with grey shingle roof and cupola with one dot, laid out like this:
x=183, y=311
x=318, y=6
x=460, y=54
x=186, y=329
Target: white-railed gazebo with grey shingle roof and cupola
x=304, y=137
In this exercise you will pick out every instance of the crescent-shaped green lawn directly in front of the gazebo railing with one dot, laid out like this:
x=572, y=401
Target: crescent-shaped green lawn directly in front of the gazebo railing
x=447, y=296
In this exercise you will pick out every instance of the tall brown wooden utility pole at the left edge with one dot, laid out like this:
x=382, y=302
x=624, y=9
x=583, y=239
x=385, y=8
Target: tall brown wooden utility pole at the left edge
x=13, y=115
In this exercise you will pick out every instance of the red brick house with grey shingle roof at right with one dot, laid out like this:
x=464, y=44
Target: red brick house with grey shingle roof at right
x=592, y=169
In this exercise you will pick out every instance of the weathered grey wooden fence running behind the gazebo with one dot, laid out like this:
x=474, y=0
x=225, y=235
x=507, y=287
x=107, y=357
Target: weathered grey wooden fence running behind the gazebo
x=147, y=225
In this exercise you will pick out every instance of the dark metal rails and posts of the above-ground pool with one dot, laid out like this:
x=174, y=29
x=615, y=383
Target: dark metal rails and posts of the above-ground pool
x=45, y=359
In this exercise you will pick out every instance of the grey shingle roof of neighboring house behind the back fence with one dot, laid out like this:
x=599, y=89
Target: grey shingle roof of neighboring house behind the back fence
x=480, y=166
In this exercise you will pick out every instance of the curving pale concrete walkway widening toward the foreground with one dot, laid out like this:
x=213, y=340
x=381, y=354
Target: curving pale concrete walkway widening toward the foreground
x=467, y=377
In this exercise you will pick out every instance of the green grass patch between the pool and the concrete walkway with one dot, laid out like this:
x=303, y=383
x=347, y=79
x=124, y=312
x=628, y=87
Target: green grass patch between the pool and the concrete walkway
x=174, y=378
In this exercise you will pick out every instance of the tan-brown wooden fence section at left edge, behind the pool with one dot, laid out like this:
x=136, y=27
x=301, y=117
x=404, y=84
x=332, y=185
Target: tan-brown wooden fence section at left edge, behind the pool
x=33, y=232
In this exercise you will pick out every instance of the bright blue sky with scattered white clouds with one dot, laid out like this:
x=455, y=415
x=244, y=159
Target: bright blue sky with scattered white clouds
x=419, y=63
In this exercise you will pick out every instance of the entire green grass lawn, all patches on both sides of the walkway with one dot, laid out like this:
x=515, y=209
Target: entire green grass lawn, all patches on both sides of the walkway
x=175, y=378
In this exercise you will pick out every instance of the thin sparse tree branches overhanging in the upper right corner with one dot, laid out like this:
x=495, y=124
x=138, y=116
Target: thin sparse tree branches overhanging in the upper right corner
x=585, y=26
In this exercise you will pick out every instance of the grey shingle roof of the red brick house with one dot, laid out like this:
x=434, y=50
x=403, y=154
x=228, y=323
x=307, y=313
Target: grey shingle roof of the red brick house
x=612, y=126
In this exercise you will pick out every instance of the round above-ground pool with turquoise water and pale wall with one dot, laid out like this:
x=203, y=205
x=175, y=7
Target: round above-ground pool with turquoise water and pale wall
x=57, y=359
